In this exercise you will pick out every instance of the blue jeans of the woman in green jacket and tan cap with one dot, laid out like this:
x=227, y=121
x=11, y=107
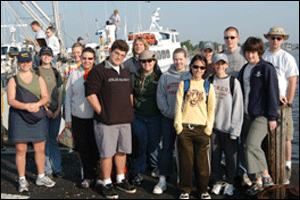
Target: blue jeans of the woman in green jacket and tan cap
x=148, y=132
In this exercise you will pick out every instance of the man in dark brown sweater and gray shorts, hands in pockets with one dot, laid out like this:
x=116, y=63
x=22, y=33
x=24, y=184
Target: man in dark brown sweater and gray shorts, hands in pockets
x=108, y=89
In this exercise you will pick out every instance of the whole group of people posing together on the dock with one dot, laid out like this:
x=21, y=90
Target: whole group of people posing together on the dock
x=225, y=102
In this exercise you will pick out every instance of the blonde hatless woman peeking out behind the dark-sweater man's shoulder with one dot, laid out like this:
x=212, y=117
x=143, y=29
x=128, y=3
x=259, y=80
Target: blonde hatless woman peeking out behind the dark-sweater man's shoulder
x=139, y=45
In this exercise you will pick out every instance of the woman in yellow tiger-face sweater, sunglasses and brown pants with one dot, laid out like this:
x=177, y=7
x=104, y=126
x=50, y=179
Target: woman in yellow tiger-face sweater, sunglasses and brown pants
x=194, y=118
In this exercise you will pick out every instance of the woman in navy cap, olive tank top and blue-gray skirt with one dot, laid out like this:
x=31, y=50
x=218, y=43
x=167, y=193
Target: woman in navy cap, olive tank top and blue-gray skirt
x=20, y=131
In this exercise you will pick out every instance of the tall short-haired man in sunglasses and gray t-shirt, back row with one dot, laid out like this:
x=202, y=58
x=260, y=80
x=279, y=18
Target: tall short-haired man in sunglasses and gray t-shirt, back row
x=235, y=55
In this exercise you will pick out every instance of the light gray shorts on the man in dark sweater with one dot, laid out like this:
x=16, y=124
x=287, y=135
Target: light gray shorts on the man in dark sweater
x=111, y=139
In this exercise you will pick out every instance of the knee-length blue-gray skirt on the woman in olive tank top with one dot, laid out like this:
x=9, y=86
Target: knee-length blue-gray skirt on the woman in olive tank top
x=21, y=131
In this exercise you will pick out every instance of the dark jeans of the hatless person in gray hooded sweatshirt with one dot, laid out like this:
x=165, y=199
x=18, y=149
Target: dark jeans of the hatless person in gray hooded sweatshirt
x=166, y=155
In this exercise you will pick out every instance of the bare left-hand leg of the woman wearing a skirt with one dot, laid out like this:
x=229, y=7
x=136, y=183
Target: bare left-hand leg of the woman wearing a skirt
x=21, y=149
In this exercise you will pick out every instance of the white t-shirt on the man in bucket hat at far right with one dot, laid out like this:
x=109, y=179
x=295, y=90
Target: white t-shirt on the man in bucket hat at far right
x=285, y=65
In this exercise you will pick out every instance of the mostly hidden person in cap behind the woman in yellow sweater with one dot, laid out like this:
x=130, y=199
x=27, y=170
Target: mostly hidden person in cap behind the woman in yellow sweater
x=207, y=49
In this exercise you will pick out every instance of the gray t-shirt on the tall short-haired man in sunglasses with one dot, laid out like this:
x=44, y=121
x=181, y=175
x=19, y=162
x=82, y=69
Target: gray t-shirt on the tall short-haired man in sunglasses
x=236, y=61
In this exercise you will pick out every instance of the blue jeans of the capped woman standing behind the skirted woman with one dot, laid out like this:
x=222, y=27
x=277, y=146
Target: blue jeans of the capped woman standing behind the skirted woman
x=52, y=153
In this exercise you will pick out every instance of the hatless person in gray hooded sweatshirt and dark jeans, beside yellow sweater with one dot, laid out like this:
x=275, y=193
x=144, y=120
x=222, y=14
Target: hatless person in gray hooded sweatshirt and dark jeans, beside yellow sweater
x=166, y=97
